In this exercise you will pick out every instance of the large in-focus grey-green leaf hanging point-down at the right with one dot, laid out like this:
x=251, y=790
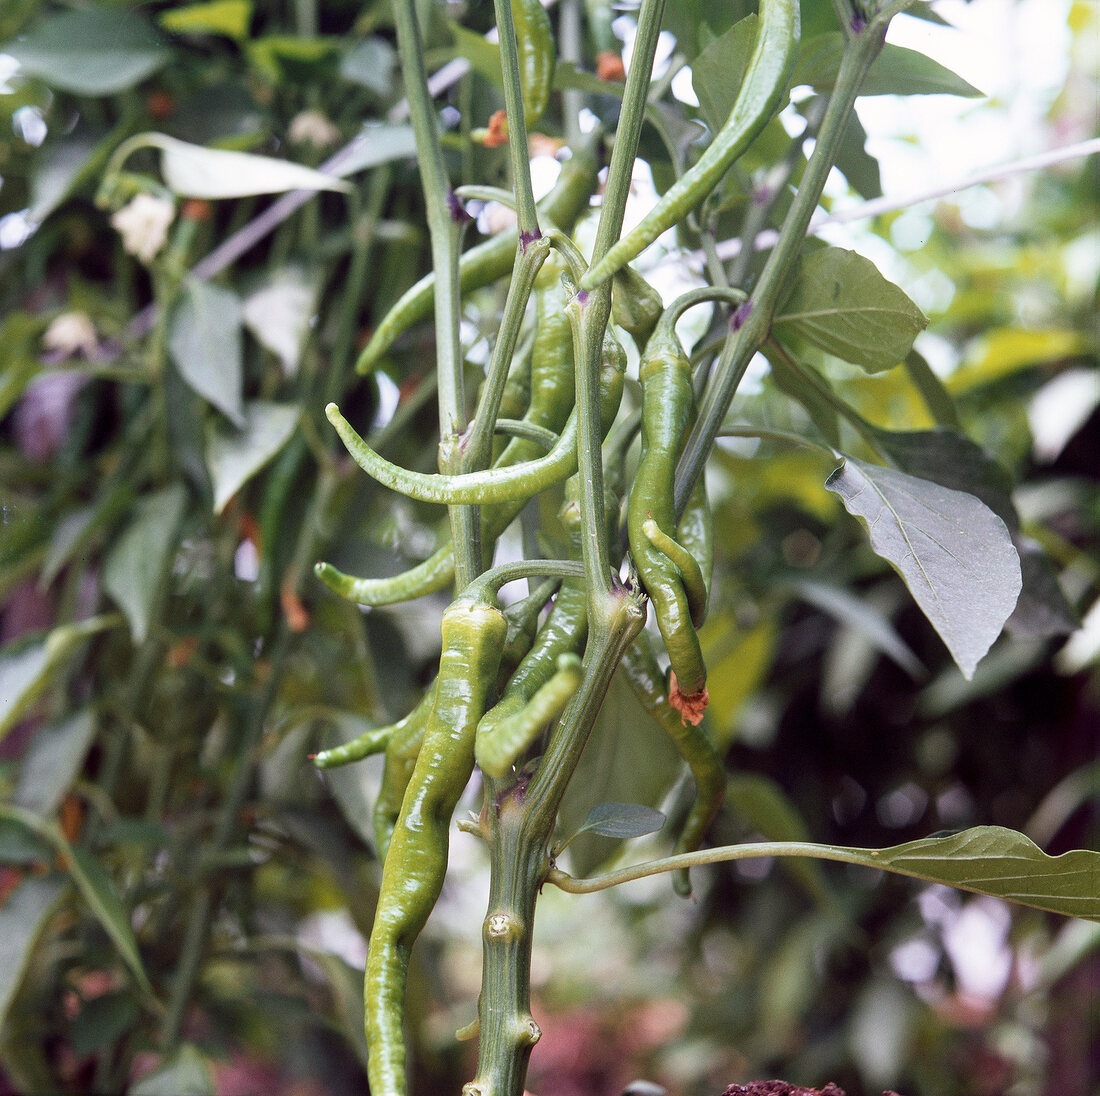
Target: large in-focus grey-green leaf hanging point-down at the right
x=955, y=555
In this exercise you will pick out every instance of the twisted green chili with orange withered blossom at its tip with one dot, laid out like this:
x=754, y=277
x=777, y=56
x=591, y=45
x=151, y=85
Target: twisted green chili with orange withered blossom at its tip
x=667, y=414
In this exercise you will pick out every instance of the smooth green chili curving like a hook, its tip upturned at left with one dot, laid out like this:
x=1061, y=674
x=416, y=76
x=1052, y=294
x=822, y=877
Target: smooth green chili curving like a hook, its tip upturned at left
x=496, y=485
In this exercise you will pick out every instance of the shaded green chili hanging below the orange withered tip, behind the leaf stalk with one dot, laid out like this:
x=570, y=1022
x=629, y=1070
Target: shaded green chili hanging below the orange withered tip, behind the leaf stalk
x=640, y=665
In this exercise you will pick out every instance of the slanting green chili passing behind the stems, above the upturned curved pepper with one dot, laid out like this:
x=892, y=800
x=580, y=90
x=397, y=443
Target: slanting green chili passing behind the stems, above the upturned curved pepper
x=489, y=261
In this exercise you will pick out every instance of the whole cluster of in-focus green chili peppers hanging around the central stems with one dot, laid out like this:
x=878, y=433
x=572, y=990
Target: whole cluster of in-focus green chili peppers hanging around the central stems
x=508, y=674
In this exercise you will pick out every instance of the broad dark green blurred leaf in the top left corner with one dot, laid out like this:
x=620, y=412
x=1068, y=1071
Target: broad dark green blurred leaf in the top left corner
x=98, y=51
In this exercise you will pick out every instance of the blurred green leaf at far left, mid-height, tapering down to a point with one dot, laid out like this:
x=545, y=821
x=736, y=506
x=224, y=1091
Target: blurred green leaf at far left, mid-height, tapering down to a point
x=135, y=568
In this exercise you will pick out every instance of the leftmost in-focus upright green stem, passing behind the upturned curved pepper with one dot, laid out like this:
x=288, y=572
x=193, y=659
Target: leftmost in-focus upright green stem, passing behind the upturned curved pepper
x=444, y=229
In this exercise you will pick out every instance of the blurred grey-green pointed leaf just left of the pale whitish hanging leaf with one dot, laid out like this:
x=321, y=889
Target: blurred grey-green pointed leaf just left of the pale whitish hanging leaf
x=205, y=344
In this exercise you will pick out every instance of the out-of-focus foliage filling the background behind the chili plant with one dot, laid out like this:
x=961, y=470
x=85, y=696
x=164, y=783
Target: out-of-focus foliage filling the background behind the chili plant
x=184, y=901
